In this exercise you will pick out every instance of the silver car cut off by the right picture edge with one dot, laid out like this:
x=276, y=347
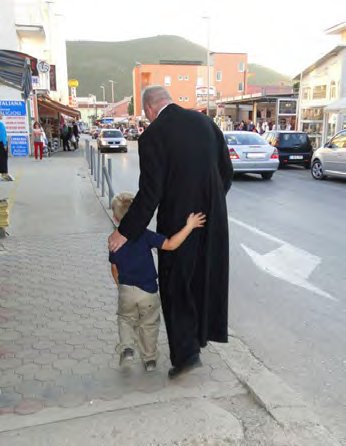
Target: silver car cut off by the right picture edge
x=331, y=158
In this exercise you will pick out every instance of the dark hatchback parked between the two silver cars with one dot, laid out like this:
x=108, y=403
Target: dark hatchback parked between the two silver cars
x=293, y=147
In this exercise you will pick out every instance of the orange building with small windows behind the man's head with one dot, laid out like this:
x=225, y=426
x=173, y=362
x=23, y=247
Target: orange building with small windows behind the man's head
x=187, y=82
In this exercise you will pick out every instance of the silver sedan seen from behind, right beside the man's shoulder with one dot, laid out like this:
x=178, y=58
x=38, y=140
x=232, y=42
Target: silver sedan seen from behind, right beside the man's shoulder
x=250, y=153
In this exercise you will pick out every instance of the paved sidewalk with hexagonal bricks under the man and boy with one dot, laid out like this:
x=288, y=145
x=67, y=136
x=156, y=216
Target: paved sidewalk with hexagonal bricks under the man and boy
x=59, y=375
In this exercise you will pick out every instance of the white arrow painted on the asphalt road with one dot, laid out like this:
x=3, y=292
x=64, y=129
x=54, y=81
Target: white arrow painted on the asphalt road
x=289, y=263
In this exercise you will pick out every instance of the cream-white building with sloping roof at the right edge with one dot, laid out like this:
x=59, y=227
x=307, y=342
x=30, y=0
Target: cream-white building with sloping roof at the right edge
x=323, y=92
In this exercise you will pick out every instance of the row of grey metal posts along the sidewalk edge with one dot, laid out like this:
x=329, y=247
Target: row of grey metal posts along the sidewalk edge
x=101, y=173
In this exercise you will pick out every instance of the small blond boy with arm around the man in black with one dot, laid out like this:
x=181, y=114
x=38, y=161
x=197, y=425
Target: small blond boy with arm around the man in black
x=135, y=274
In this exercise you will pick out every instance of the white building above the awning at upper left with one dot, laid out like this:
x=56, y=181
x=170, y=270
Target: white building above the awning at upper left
x=35, y=27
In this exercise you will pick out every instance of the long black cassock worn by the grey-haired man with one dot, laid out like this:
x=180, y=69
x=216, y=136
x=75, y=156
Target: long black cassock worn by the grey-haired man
x=185, y=167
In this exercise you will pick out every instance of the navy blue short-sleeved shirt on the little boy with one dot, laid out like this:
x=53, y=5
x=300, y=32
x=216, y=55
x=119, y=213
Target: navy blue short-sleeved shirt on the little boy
x=135, y=262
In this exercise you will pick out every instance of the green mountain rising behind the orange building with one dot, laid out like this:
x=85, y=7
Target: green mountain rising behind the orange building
x=95, y=63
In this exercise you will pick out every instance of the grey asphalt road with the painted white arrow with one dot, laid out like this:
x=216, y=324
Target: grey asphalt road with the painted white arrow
x=287, y=278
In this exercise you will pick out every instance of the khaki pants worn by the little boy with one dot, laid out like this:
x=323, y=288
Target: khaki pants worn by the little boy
x=138, y=320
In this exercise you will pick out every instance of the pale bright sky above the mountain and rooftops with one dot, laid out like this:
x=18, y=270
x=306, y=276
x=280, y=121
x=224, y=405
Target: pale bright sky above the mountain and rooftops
x=285, y=36
